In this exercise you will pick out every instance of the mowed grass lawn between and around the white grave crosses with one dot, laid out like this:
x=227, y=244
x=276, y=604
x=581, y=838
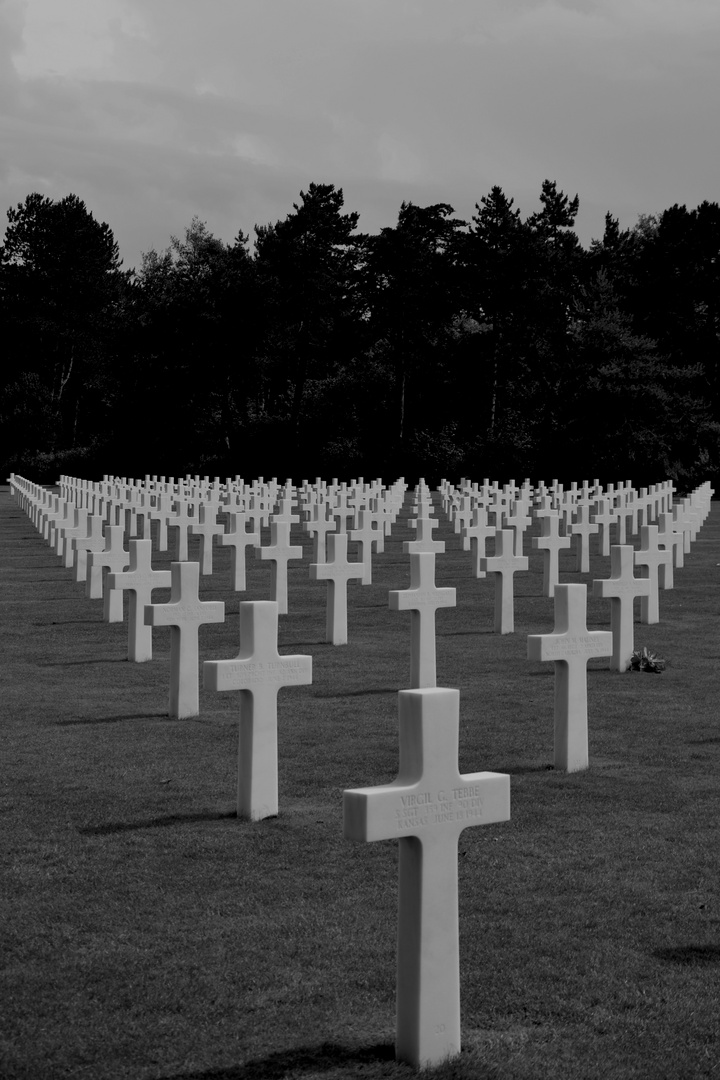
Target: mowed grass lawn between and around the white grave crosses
x=150, y=934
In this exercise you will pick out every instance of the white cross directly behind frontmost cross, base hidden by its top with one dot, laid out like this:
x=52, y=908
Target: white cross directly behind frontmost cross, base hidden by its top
x=423, y=600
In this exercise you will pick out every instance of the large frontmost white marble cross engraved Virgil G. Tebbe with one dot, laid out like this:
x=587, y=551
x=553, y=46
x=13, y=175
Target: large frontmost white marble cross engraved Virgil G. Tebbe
x=427, y=809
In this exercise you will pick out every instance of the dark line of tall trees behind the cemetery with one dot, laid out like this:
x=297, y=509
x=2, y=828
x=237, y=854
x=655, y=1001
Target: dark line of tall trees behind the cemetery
x=497, y=347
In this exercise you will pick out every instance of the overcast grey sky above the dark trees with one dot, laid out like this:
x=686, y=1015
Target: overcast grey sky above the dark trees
x=157, y=111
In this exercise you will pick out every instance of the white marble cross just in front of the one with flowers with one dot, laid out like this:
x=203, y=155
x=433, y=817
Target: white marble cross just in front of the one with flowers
x=570, y=646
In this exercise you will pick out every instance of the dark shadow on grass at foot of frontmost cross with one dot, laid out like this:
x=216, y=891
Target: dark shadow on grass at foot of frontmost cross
x=324, y=1059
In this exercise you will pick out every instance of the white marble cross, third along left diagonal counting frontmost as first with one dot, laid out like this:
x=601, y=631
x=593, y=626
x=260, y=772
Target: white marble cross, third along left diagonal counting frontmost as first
x=184, y=614
